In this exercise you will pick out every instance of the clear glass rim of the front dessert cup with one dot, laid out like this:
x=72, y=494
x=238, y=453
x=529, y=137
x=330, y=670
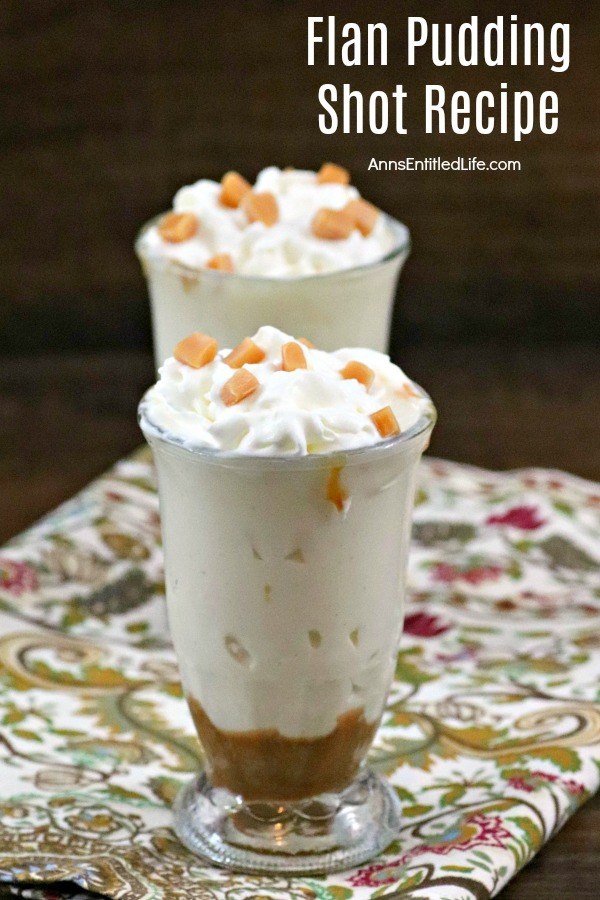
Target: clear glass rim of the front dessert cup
x=233, y=458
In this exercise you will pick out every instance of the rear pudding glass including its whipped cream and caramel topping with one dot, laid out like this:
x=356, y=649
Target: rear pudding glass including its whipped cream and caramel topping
x=339, y=289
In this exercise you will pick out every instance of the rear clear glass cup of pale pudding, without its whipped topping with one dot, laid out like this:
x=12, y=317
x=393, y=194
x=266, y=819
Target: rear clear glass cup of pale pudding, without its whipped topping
x=349, y=308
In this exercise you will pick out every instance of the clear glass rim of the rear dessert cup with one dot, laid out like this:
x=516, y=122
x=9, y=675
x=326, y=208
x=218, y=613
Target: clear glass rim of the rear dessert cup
x=402, y=247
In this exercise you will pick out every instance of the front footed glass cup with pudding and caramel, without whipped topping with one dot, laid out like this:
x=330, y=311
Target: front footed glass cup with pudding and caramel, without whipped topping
x=285, y=593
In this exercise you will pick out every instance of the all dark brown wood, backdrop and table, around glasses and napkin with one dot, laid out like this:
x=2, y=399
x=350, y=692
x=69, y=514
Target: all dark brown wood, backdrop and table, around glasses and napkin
x=108, y=106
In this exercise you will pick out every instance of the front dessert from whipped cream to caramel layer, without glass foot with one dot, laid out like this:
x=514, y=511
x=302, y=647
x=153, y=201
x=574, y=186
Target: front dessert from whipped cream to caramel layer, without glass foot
x=286, y=487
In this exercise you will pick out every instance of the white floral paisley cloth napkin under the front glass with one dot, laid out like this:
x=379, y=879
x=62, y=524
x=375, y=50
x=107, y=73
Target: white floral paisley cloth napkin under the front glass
x=492, y=731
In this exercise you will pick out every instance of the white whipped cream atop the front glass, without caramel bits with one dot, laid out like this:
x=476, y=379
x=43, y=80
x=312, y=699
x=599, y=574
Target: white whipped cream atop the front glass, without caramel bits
x=304, y=411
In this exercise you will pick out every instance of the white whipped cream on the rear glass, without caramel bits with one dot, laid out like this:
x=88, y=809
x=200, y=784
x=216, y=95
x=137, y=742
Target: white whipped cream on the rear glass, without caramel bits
x=284, y=250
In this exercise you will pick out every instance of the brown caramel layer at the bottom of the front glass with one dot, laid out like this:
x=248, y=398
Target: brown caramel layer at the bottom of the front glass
x=265, y=765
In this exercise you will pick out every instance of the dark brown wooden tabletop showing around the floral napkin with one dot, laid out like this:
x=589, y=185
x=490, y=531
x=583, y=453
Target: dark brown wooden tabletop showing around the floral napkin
x=65, y=418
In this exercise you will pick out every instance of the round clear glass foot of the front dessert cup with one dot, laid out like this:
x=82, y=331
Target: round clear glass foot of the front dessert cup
x=323, y=834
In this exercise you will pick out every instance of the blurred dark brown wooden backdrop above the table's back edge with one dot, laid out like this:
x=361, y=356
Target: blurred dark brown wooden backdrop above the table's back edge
x=108, y=106
